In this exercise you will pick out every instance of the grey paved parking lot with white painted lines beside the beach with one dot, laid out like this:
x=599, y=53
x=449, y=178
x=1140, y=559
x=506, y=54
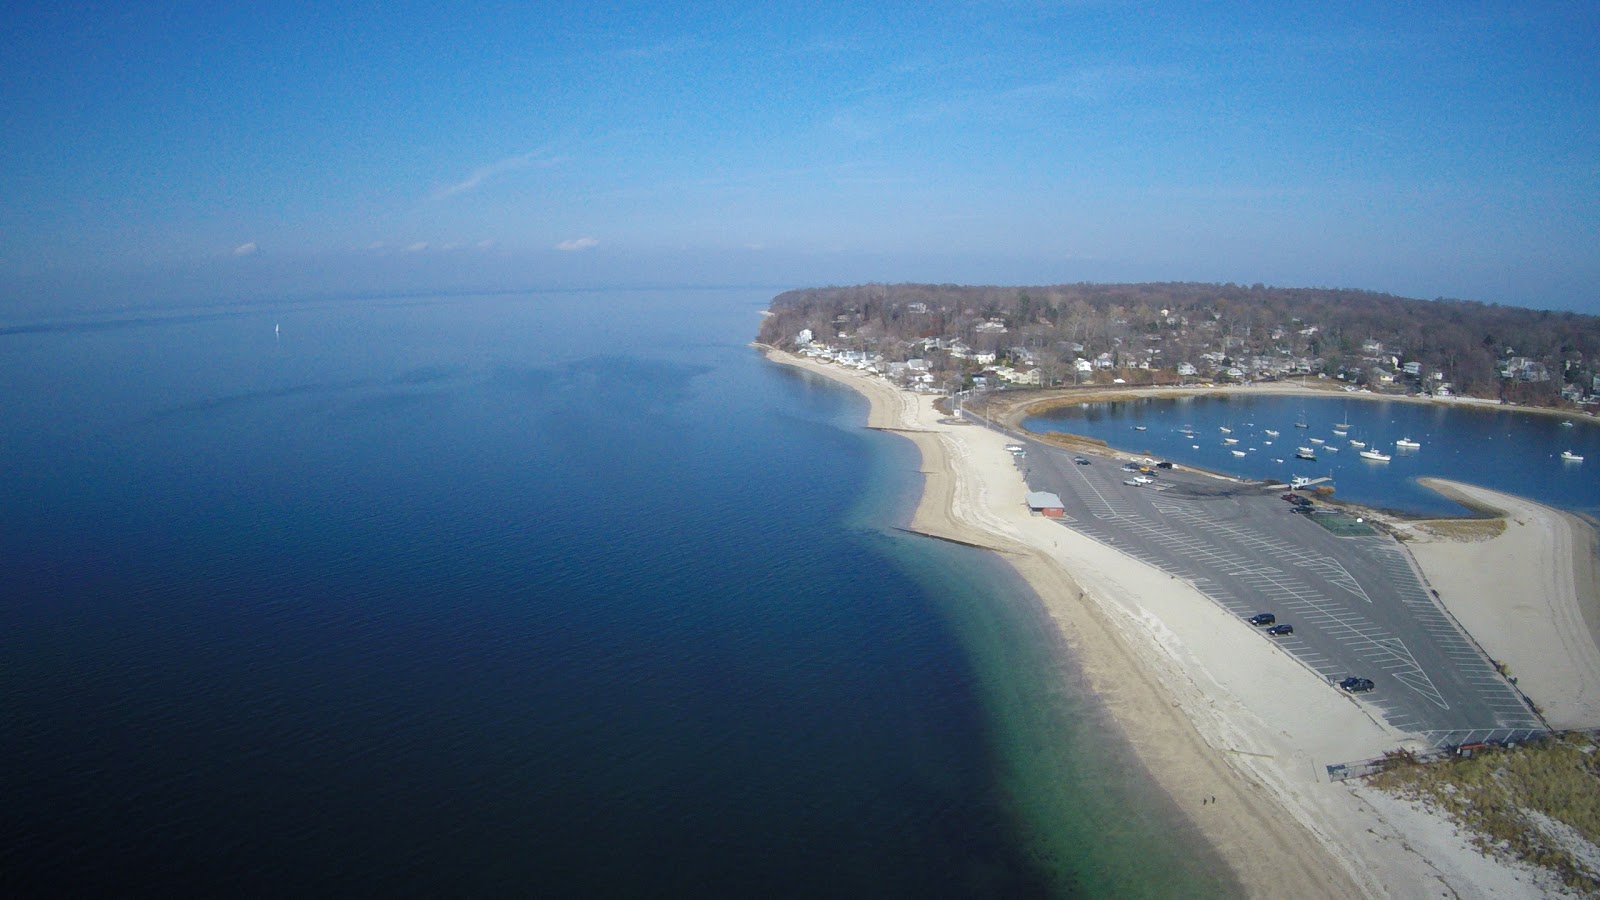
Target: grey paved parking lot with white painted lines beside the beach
x=1356, y=603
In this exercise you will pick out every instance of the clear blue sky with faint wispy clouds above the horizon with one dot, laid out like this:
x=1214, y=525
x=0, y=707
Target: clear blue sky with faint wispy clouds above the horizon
x=183, y=151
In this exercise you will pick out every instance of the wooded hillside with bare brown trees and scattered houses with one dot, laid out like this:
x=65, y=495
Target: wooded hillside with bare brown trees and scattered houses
x=1470, y=344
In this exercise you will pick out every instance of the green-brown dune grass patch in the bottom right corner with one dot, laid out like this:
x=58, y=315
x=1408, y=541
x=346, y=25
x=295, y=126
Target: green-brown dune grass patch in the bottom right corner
x=1500, y=798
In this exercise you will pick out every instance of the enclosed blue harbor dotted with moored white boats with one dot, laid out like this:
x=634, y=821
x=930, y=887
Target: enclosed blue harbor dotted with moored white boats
x=1495, y=448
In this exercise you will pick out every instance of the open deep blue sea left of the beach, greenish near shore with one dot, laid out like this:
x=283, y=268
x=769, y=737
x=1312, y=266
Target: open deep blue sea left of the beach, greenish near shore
x=564, y=593
